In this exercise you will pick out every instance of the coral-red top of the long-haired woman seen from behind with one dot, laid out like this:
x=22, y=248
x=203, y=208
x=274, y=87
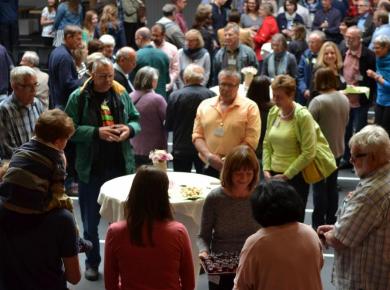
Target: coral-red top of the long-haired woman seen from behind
x=167, y=265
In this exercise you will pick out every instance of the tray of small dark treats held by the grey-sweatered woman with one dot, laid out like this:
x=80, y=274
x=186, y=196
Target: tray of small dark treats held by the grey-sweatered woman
x=220, y=263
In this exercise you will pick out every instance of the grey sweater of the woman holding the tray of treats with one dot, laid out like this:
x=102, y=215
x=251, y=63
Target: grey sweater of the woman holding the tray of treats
x=226, y=223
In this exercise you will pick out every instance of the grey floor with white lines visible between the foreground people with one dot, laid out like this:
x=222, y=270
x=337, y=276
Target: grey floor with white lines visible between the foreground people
x=347, y=182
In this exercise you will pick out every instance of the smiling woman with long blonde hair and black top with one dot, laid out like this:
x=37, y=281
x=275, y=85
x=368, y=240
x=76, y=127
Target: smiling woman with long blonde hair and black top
x=329, y=56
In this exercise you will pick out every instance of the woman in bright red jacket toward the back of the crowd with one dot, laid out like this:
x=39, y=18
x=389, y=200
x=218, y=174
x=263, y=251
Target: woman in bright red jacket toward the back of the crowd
x=266, y=30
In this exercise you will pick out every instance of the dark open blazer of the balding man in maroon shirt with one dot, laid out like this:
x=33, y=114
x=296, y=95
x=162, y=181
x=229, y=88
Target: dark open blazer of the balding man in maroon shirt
x=367, y=61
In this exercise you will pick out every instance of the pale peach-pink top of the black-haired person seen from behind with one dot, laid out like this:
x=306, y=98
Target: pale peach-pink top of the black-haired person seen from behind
x=281, y=258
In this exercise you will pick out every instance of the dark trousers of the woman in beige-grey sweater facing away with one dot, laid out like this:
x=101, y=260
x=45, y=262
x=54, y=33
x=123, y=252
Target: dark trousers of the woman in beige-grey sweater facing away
x=326, y=200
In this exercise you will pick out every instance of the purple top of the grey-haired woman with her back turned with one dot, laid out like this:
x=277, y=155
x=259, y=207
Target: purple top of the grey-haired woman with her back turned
x=152, y=108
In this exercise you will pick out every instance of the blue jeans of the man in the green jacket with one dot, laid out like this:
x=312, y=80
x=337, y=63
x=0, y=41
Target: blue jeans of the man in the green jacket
x=89, y=208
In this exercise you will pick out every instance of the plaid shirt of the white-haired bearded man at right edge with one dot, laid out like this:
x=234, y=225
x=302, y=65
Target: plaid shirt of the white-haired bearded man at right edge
x=363, y=226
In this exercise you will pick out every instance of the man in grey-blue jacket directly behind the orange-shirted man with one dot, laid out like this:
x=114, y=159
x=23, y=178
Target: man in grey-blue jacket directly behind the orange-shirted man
x=234, y=55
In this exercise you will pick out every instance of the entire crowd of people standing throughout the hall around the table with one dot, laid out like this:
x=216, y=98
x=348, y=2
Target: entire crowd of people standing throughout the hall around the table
x=116, y=85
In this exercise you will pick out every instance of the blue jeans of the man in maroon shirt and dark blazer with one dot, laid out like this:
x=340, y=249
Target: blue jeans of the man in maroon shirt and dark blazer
x=357, y=120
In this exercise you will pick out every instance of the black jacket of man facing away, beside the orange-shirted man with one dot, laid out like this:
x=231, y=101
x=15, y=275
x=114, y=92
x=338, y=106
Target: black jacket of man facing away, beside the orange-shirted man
x=181, y=112
